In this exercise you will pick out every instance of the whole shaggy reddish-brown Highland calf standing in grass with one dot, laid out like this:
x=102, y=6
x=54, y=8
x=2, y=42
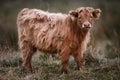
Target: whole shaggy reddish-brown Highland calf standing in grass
x=66, y=34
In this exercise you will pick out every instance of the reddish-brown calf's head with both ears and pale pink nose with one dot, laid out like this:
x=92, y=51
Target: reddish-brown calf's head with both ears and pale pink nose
x=85, y=16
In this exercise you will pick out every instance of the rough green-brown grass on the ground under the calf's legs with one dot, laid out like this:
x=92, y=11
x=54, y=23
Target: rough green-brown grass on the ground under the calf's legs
x=48, y=68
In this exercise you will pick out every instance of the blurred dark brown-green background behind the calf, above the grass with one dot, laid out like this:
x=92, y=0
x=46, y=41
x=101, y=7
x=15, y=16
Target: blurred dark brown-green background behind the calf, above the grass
x=105, y=34
